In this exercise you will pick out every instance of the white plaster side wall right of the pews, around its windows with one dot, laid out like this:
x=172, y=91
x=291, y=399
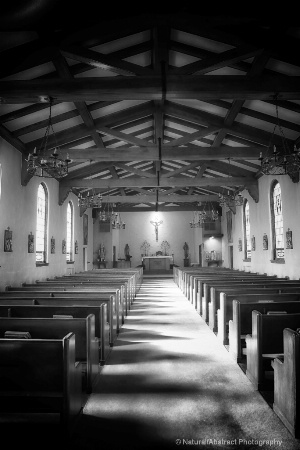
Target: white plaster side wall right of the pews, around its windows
x=260, y=223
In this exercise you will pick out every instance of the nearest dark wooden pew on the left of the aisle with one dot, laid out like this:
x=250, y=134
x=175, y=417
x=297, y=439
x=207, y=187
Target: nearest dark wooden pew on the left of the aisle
x=43, y=376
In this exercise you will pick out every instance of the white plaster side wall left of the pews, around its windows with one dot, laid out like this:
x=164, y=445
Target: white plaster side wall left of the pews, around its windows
x=18, y=211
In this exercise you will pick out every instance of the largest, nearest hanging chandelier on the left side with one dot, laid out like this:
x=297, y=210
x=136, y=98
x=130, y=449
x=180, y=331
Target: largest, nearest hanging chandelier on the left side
x=40, y=164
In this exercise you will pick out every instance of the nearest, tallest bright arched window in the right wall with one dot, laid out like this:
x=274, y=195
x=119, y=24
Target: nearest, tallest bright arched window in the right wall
x=277, y=221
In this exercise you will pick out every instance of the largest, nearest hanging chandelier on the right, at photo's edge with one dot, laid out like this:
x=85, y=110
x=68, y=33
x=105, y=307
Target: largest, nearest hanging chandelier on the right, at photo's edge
x=280, y=159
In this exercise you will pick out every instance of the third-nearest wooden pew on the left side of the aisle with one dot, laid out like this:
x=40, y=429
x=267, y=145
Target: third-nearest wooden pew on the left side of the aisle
x=80, y=311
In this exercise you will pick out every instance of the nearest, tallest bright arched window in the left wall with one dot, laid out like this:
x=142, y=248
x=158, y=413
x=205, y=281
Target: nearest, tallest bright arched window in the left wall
x=41, y=224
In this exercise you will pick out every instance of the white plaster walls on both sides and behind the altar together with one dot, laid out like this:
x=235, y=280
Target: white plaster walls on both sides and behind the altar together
x=18, y=211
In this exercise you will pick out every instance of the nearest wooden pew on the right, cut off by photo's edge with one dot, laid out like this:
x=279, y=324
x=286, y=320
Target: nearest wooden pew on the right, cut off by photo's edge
x=287, y=382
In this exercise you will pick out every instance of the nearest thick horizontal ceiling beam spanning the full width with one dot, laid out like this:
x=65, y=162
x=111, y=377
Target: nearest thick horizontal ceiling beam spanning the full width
x=202, y=87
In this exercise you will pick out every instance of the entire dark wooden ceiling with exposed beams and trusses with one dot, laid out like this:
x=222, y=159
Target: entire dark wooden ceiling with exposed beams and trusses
x=154, y=109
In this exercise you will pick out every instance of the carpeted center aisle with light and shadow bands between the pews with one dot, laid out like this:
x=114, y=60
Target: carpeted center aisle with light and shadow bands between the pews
x=168, y=381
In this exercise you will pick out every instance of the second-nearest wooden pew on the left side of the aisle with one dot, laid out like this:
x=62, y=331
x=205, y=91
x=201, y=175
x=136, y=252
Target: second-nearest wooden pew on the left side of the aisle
x=87, y=345
